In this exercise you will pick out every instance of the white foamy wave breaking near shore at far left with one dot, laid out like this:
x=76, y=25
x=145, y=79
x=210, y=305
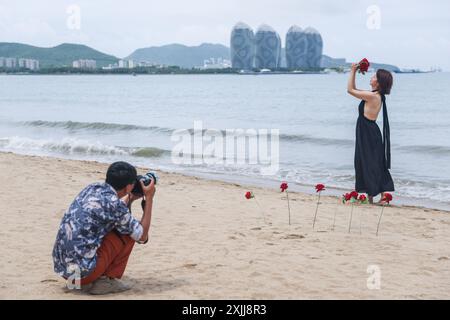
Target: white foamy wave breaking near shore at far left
x=77, y=146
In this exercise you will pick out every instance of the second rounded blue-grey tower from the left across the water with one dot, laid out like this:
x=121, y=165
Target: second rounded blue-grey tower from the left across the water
x=268, y=48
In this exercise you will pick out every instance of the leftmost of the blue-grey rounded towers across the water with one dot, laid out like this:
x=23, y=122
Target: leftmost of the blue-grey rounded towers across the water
x=242, y=47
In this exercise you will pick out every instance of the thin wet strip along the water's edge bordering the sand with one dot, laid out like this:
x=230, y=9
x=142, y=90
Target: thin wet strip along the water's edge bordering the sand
x=273, y=185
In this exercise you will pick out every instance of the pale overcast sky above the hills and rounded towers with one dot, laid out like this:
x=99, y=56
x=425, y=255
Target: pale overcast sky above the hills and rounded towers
x=411, y=33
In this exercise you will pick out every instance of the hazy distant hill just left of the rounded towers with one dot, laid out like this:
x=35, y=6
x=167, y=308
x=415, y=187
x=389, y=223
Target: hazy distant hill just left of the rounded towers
x=181, y=55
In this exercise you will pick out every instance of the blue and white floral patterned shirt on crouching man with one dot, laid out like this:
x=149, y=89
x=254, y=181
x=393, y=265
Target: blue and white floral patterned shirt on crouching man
x=95, y=212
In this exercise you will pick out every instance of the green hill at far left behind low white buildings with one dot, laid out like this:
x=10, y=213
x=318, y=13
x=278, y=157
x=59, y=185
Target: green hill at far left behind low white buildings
x=62, y=55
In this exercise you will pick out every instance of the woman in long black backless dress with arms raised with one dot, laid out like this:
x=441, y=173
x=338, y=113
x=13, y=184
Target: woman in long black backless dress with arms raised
x=373, y=149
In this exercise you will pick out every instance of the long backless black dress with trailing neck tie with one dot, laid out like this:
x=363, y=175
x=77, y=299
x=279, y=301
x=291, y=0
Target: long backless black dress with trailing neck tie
x=373, y=154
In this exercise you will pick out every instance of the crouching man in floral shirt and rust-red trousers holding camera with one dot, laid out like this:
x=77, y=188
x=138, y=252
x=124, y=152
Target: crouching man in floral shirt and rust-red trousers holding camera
x=98, y=232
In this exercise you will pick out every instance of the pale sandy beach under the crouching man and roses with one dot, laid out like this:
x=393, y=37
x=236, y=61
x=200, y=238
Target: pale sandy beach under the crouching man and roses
x=209, y=242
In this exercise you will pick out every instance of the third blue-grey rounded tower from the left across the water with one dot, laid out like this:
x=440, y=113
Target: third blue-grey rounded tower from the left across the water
x=296, y=48
